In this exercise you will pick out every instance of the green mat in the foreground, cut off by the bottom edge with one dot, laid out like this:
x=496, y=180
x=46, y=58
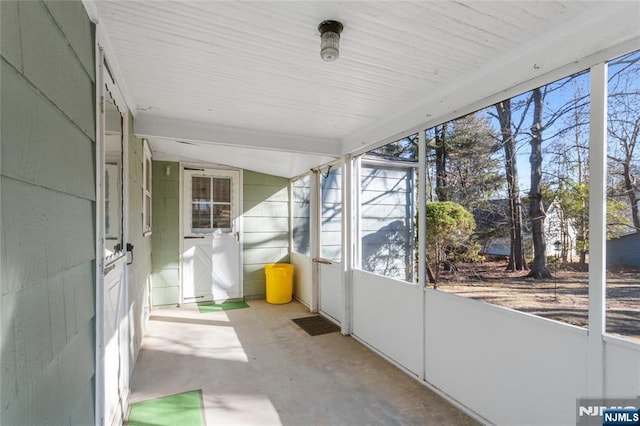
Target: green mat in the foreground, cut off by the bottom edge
x=183, y=409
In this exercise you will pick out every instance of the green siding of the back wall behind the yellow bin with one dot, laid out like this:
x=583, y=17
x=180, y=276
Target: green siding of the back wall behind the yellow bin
x=266, y=228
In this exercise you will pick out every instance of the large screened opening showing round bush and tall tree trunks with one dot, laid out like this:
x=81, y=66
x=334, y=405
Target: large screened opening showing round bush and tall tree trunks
x=508, y=202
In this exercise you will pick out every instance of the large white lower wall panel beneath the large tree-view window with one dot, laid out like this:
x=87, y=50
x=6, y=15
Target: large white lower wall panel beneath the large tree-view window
x=509, y=367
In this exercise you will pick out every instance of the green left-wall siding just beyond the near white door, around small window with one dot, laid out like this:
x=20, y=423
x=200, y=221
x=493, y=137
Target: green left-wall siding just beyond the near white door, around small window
x=139, y=271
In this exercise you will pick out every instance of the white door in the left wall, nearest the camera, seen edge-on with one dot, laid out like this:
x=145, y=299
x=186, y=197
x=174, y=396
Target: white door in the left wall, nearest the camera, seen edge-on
x=112, y=321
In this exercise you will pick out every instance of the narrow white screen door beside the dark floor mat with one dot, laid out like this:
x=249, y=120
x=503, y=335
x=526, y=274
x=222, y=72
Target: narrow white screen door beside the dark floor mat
x=330, y=263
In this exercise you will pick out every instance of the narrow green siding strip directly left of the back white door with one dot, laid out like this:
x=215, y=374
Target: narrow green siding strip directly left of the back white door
x=165, y=240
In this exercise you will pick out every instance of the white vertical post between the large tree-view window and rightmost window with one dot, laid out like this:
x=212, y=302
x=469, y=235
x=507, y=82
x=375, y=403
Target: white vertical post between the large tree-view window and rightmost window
x=597, y=230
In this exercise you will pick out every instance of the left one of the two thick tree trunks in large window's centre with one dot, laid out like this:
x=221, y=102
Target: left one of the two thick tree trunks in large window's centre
x=517, y=261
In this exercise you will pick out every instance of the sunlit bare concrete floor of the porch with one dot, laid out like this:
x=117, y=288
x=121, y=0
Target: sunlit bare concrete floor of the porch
x=256, y=367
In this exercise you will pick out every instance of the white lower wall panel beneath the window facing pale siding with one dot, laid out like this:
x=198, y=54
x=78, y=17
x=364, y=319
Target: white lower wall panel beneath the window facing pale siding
x=387, y=315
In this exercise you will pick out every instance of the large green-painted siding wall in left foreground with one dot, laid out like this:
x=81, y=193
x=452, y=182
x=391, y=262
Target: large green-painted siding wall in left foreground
x=47, y=181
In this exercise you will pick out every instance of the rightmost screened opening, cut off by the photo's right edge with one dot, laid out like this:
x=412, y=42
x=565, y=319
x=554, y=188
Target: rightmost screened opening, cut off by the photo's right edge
x=623, y=197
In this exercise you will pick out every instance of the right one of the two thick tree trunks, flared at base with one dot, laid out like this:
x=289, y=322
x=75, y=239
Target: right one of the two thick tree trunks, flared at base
x=536, y=208
